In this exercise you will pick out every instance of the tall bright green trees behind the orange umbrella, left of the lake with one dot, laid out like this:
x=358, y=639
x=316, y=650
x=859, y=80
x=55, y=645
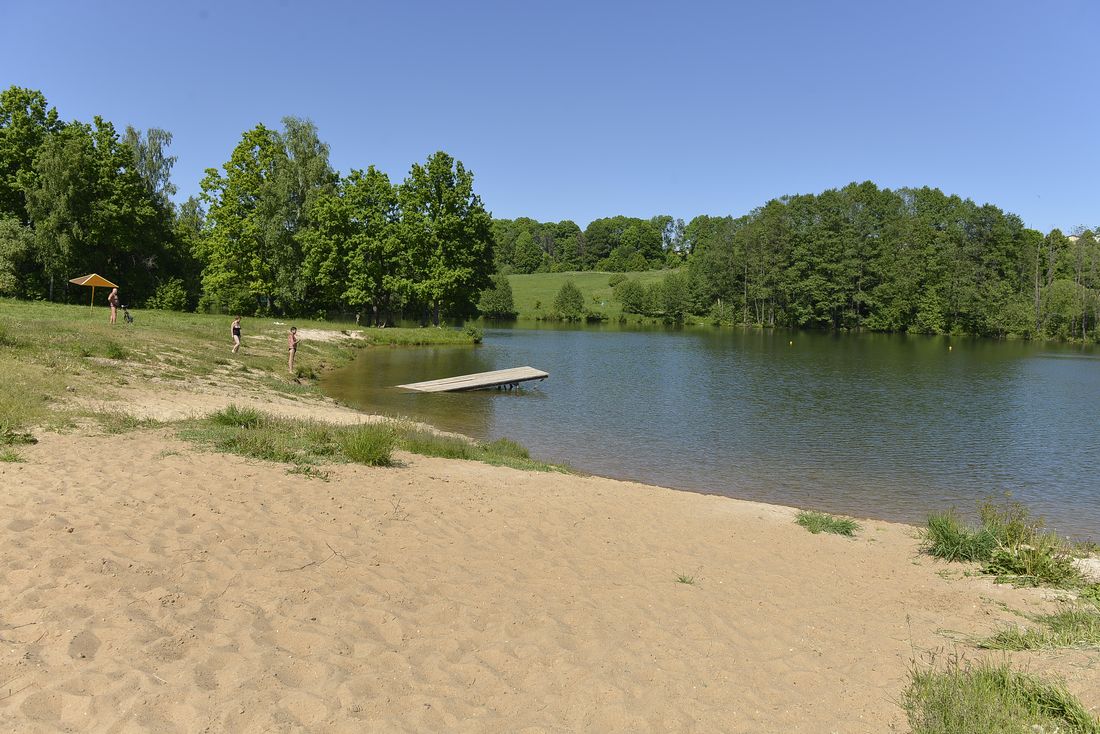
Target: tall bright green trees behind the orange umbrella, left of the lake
x=276, y=229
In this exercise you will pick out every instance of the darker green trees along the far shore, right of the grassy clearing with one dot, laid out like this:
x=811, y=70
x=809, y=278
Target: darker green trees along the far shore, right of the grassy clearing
x=856, y=258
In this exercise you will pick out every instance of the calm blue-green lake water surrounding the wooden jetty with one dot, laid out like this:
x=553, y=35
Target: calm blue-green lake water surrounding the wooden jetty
x=870, y=425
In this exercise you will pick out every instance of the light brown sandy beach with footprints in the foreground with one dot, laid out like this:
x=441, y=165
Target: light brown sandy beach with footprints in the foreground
x=149, y=586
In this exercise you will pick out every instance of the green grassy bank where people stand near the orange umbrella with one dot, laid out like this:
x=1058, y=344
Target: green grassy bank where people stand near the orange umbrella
x=50, y=350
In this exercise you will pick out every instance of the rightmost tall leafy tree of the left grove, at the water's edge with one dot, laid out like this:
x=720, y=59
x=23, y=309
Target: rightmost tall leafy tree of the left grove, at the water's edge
x=447, y=234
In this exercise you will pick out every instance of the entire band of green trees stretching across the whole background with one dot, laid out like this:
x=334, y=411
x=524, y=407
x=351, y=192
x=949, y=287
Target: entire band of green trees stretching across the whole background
x=278, y=231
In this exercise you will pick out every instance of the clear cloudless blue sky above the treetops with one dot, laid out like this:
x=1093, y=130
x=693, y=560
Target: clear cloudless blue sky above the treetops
x=577, y=111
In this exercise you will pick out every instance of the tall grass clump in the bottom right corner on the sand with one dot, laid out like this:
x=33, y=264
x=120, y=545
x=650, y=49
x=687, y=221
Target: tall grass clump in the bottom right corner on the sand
x=989, y=698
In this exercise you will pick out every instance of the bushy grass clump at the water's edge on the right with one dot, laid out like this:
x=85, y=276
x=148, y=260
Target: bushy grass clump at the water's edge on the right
x=1011, y=544
